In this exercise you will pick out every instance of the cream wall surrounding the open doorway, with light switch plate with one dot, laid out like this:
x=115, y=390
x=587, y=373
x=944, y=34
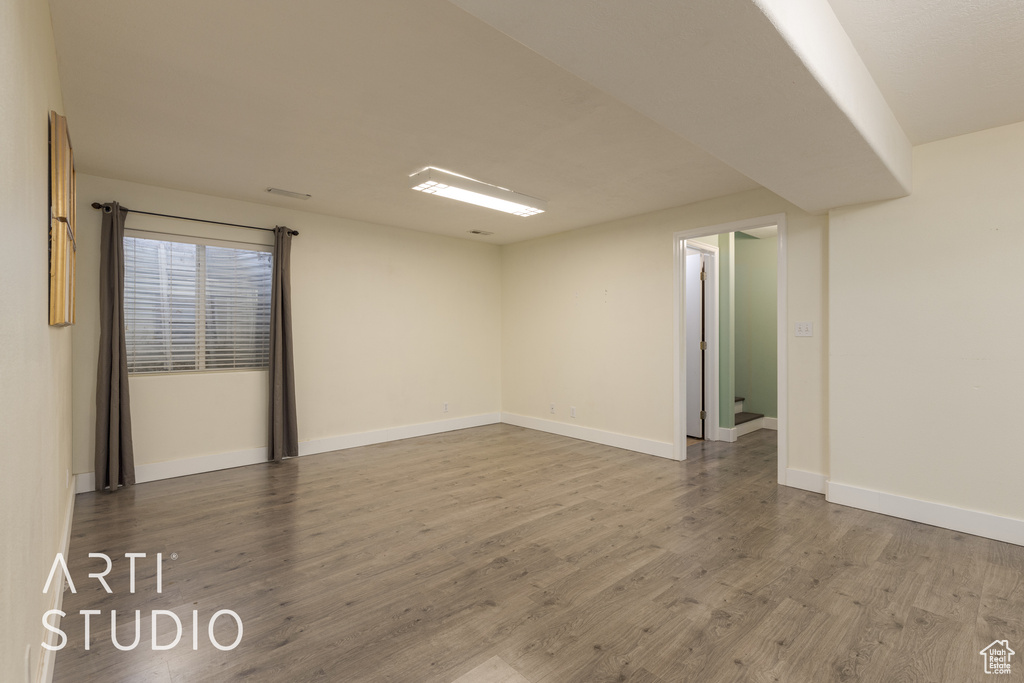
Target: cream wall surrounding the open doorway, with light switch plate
x=588, y=322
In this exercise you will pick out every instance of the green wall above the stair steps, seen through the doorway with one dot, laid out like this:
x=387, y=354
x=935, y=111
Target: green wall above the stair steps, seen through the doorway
x=756, y=376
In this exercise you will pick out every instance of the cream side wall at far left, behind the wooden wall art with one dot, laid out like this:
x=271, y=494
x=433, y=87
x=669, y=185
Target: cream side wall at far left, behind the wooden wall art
x=35, y=359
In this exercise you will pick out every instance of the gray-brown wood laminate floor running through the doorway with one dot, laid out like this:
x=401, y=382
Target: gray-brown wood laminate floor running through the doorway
x=500, y=554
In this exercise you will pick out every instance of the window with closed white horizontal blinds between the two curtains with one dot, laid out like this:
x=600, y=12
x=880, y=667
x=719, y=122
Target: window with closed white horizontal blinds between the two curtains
x=196, y=306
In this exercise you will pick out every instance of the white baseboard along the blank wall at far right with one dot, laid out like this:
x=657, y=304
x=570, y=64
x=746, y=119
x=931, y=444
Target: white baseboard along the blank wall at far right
x=947, y=517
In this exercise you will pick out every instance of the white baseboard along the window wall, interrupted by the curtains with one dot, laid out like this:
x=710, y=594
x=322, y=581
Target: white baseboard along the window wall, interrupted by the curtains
x=223, y=461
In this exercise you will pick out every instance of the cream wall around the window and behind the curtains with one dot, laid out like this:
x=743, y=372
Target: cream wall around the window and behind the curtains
x=390, y=324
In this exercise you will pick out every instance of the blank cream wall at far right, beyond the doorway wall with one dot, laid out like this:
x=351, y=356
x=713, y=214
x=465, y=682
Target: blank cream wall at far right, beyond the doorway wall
x=927, y=322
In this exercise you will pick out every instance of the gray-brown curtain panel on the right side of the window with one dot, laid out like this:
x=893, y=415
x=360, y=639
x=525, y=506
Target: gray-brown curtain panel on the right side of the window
x=284, y=438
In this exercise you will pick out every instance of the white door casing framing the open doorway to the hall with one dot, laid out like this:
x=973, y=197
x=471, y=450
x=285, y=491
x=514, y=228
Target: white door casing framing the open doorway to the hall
x=679, y=330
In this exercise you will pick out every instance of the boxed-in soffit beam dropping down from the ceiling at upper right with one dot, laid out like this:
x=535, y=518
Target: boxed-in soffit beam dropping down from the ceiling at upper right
x=779, y=94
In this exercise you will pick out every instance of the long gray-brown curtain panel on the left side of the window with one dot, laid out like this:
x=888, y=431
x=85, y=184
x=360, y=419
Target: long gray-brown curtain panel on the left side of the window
x=115, y=464
